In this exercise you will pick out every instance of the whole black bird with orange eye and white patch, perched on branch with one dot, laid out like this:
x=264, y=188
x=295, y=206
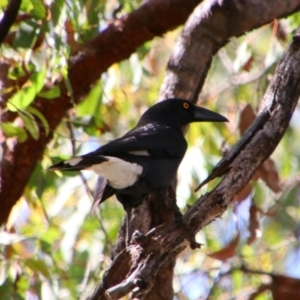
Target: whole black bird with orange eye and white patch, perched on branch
x=146, y=158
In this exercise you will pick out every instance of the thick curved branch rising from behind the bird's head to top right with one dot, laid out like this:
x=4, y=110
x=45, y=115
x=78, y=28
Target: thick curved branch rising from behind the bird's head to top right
x=209, y=28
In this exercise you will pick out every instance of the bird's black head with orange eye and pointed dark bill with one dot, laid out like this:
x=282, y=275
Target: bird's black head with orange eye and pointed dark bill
x=178, y=113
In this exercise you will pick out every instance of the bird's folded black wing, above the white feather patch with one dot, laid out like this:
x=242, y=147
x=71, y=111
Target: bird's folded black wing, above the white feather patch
x=149, y=140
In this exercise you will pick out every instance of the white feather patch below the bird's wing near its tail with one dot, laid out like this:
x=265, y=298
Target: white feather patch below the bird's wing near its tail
x=119, y=173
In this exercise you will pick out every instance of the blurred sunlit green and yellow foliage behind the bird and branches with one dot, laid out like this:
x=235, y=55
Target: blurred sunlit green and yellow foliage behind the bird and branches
x=54, y=248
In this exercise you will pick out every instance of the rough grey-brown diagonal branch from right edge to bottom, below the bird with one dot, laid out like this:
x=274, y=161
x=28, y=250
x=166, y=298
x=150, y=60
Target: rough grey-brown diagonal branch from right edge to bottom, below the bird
x=152, y=251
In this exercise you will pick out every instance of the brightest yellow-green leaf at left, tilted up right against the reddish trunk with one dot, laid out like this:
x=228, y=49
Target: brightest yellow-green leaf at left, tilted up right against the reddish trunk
x=21, y=99
